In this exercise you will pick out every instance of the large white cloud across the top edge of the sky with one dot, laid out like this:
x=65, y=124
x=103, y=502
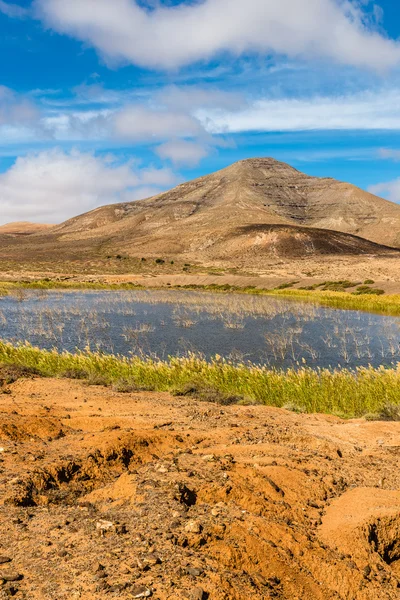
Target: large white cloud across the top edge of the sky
x=173, y=36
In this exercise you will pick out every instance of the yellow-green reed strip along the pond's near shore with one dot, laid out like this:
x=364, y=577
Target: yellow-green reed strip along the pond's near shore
x=341, y=392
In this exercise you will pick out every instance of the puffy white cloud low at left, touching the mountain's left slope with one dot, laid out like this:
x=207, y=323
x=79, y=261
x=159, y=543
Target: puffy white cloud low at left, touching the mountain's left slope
x=52, y=186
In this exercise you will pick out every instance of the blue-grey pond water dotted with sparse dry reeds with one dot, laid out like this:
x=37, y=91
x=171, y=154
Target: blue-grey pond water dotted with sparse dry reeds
x=274, y=331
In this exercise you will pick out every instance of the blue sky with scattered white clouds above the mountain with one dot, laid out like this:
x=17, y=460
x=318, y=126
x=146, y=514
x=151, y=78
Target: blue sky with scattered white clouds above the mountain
x=106, y=101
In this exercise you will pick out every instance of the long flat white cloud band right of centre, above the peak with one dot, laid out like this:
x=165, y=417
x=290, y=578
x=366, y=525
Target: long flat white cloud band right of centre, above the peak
x=368, y=110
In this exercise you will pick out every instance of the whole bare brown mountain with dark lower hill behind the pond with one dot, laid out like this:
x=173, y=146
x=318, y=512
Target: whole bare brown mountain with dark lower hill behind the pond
x=253, y=209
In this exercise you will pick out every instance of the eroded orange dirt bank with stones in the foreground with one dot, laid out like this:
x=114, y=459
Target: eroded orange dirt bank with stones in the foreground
x=108, y=495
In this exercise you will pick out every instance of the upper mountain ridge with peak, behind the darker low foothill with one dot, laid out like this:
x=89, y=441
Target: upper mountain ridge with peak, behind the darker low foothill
x=262, y=191
